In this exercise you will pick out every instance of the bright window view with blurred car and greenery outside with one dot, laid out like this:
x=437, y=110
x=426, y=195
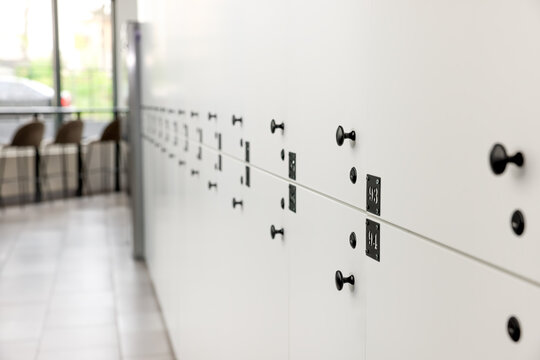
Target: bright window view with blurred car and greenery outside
x=27, y=68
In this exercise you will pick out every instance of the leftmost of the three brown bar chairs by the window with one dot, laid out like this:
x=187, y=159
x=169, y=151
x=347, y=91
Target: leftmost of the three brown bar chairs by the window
x=28, y=135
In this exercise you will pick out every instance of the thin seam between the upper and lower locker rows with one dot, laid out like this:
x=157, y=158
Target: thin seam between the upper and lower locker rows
x=371, y=216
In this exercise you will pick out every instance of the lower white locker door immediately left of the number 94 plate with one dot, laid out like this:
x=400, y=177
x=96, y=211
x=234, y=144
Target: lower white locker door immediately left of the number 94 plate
x=326, y=323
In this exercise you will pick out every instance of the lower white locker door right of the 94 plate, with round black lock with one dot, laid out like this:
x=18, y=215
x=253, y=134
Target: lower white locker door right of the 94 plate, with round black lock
x=426, y=302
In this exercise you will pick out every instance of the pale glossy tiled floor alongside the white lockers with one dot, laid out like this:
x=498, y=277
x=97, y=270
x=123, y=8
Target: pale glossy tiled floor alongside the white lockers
x=69, y=288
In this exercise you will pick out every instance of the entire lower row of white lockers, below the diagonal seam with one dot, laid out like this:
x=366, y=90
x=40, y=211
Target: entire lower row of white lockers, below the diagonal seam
x=231, y=289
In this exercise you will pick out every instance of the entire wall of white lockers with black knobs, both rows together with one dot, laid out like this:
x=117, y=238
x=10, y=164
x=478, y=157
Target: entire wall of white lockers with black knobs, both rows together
x=428, y=87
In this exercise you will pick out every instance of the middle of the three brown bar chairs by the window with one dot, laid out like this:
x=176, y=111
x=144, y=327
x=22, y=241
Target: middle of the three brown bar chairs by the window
x=69, y=134
